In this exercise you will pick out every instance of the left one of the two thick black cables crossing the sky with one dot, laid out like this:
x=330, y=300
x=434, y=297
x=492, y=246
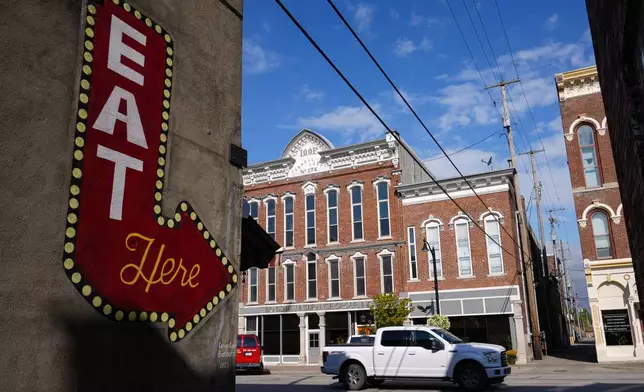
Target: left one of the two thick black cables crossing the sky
x=384, y=124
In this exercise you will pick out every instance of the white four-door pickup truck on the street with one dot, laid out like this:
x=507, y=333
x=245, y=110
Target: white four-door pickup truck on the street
x=416, y=353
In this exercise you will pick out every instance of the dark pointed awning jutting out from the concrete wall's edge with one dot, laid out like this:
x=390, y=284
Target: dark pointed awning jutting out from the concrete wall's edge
x=258, y=247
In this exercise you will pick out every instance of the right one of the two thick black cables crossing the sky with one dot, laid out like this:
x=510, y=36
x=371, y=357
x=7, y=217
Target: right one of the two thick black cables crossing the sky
x=422, y=123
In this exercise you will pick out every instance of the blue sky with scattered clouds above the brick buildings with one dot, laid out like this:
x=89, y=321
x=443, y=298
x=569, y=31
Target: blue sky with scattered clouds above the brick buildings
x=287, y=85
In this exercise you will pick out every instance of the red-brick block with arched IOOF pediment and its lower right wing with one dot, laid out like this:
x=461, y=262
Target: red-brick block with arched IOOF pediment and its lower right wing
x=352, y=221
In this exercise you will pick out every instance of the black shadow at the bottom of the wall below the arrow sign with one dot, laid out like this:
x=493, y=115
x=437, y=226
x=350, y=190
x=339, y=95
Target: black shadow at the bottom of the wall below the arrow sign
x=129, y=357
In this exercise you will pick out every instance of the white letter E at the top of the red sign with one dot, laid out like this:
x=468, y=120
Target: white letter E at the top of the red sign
x=118, y=49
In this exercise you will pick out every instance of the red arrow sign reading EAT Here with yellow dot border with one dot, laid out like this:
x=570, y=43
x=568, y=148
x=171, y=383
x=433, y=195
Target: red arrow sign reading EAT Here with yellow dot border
x=126, y=259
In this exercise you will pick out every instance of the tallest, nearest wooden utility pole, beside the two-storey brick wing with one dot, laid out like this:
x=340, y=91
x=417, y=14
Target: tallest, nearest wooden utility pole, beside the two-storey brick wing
x=523, y=230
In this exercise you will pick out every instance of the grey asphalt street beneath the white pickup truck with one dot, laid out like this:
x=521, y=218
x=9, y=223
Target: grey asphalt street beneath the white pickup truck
x=618, y=381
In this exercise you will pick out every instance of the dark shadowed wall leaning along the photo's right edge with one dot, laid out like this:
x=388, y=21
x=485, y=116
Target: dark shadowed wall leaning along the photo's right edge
x=617, y=29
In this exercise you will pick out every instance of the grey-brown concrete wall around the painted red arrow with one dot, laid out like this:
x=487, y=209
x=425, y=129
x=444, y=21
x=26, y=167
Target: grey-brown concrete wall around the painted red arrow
x=51, y=338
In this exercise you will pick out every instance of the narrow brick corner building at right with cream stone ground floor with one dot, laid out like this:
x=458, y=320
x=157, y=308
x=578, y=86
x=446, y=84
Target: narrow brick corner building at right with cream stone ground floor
x=598, y=205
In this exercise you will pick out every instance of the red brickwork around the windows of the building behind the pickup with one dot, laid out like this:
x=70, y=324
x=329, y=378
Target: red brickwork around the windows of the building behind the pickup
x=401, y=217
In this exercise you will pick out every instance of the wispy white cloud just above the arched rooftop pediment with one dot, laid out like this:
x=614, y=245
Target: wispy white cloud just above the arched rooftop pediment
x=350, y=120
